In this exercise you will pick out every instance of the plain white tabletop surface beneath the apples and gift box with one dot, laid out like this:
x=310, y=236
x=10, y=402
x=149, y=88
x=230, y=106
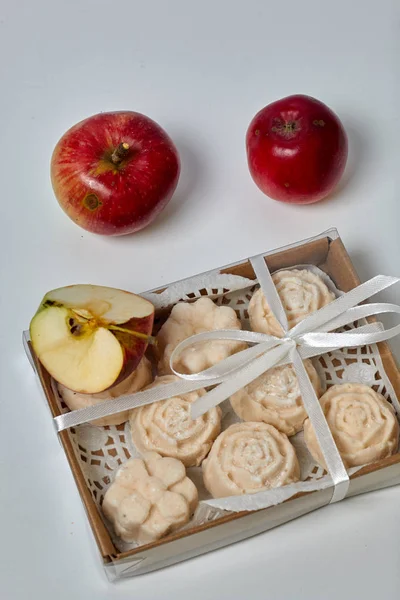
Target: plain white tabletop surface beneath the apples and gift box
x=202, y=69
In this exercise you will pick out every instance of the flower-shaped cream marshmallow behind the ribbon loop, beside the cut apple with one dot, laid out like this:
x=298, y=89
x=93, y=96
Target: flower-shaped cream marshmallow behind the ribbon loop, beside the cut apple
x=187, y=319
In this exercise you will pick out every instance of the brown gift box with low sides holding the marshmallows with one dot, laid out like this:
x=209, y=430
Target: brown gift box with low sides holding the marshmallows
x=328, y=253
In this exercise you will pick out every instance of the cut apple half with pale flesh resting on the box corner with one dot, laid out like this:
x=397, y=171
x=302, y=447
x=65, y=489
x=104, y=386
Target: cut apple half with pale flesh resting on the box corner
x=90, y=337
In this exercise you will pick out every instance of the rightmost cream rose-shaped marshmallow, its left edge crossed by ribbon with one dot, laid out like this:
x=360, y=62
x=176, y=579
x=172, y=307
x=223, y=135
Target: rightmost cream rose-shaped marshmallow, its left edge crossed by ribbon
x=362, y=422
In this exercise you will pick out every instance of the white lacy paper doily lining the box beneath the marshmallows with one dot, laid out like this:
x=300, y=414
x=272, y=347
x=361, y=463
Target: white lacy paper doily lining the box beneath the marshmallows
x=101, y=450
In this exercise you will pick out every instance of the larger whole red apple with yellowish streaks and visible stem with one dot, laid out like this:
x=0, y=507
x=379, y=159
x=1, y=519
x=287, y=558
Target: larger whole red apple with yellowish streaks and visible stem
x=114, y=199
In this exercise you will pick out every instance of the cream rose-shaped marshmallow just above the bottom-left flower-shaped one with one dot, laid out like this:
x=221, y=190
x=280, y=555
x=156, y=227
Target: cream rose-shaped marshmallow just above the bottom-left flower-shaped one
x=168, y=428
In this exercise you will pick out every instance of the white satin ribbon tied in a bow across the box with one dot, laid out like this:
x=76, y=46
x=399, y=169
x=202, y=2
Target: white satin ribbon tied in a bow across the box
x=311, y=337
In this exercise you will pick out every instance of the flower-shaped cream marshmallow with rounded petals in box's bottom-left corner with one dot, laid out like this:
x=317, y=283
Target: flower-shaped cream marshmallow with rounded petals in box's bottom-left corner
x=149, y=498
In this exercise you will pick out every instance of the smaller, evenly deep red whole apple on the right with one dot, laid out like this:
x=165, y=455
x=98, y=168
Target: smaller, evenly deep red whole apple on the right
x=296, y=150
